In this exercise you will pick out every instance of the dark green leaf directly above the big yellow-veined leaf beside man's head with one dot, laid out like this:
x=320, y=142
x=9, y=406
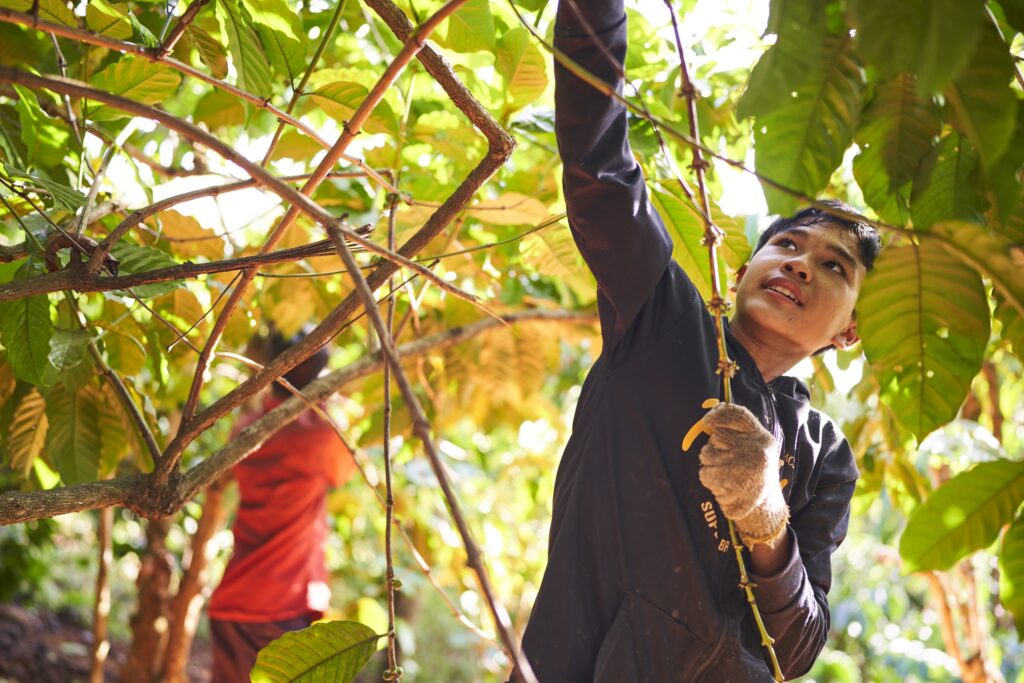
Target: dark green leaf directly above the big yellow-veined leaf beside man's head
x=945, y=187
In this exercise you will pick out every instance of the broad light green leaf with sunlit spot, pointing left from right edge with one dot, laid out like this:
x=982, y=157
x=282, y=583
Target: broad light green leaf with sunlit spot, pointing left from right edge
x=962, y=517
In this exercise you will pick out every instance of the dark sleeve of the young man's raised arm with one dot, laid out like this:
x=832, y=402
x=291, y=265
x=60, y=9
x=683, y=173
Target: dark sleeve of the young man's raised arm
x=618, y=232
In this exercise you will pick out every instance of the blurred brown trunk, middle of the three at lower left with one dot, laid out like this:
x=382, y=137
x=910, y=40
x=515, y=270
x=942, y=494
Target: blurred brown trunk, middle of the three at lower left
x=149, y=624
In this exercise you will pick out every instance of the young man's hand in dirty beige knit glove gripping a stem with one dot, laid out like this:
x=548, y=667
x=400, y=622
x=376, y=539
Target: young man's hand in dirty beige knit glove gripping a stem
x=740, y=466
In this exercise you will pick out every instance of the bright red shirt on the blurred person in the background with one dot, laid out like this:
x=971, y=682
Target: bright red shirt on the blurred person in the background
x=278, y=571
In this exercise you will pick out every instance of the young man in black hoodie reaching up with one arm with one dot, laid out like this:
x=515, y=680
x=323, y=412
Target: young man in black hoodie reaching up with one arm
x=643, y=583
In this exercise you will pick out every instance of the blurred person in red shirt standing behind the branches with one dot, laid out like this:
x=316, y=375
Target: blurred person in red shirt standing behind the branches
x=277, y=580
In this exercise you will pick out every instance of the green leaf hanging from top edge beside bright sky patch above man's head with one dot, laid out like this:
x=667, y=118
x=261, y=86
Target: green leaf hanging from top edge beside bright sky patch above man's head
x=800, y=30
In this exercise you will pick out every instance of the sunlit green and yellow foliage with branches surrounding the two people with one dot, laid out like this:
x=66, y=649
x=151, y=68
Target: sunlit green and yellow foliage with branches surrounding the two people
x=118, y=383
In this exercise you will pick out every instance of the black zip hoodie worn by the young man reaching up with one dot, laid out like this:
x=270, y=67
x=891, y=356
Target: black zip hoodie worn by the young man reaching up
x=642, y=583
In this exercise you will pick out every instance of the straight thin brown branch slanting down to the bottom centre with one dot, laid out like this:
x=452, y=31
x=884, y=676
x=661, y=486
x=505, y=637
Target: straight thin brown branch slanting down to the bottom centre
x=422, y=429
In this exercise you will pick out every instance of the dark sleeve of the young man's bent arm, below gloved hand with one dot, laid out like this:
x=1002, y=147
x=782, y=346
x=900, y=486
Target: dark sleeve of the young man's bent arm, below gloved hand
x=794, y=604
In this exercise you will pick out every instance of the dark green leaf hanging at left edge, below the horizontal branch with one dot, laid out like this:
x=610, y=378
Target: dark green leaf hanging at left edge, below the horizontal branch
x=25, y=332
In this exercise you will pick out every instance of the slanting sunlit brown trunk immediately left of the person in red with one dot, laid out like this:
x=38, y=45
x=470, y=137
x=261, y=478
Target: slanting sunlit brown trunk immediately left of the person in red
x=188, y=604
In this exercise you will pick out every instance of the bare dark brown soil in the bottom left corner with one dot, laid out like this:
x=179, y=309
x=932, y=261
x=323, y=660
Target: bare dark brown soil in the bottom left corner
x=54, y=648
